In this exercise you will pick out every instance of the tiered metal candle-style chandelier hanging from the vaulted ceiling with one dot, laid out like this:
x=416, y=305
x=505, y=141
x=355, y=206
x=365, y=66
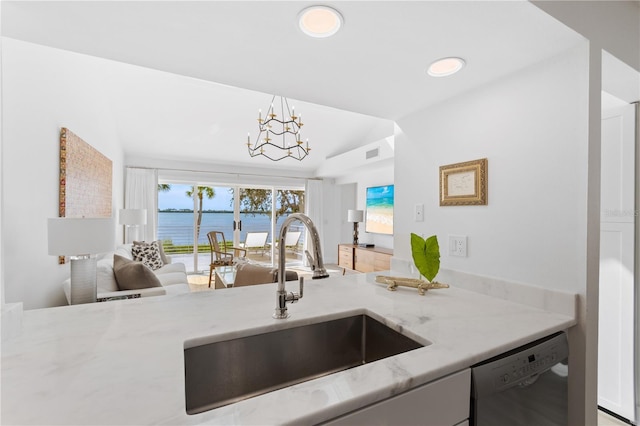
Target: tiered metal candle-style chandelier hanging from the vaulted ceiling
x=280, y=135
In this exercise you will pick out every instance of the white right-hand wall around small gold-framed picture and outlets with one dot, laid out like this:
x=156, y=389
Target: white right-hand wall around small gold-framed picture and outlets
x=534, y=129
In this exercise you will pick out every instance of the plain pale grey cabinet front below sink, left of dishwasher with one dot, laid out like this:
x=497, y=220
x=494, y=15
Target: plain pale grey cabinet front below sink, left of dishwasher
x=442, y=402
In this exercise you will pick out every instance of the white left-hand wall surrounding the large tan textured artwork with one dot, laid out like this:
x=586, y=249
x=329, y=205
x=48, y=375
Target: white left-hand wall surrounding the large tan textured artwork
x=43, y=90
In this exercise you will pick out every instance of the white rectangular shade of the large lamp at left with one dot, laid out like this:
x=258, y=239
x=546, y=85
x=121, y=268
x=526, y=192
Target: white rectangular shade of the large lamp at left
x=81, y=236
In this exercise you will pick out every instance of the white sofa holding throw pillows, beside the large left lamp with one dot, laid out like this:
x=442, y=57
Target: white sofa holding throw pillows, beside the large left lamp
x=172, y=277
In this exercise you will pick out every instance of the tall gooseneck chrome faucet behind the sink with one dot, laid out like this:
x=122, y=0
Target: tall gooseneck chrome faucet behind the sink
x=317, y=265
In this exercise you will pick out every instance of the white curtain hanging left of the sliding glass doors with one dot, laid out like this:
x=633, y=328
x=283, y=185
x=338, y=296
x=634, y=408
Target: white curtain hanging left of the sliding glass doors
x=141, y=192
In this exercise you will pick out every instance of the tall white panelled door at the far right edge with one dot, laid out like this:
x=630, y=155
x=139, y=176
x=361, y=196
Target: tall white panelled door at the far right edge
x=616, y=390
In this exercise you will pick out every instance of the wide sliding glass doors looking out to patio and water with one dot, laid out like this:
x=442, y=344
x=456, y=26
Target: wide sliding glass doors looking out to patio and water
x=250, y=217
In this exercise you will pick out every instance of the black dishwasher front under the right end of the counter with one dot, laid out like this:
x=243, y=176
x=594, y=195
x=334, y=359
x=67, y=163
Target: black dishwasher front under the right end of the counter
x=525, y=386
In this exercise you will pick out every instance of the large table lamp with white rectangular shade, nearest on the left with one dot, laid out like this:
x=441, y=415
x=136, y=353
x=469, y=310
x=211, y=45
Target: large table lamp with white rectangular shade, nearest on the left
x=80, y=238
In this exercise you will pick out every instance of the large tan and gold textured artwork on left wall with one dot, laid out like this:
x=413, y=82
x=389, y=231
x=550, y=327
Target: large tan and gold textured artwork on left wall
x=85, y=179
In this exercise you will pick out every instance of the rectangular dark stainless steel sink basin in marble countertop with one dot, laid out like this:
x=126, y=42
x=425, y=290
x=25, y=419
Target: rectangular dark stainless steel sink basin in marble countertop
x=228, y=371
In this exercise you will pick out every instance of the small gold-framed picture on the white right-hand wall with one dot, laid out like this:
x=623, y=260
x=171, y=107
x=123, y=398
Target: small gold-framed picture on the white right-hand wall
x=464, y=184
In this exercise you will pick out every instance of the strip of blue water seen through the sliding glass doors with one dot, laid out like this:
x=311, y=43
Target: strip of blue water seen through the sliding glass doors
x=178, y=226
